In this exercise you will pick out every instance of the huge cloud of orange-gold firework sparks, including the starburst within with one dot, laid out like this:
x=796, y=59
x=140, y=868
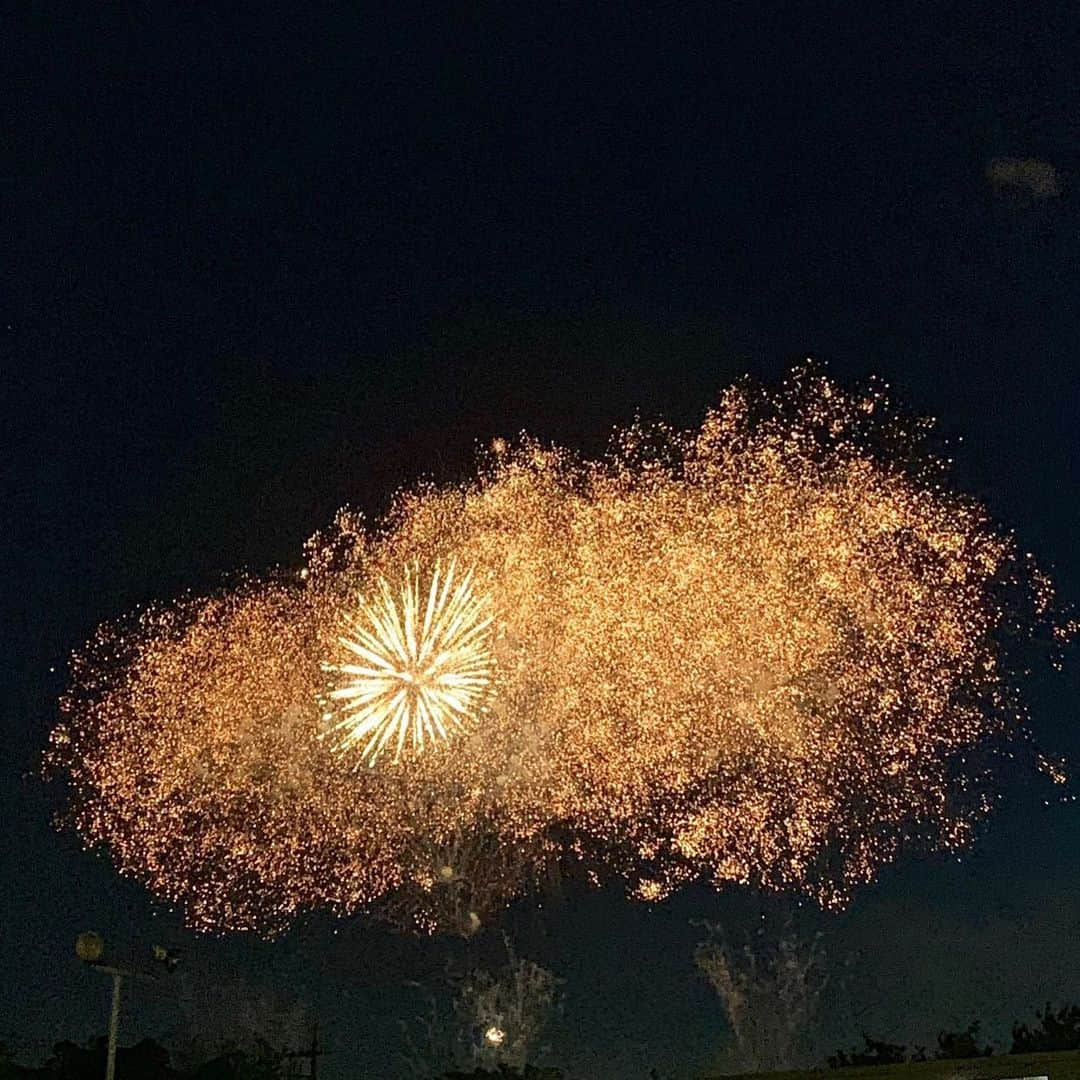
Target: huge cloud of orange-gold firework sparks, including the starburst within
x=771, y=651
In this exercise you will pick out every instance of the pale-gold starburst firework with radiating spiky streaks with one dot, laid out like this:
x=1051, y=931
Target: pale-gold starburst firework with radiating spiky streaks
x=421, y=664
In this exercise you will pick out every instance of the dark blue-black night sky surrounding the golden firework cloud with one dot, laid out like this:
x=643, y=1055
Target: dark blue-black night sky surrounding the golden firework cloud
x=260, y=267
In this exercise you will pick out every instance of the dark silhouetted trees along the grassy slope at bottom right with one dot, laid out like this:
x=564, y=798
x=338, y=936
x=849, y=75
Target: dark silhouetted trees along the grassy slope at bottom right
x=1055, y=1030
